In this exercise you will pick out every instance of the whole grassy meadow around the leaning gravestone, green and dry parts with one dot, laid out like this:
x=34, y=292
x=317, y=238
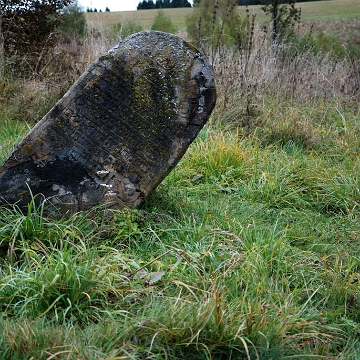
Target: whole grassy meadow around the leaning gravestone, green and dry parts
x=249, y=249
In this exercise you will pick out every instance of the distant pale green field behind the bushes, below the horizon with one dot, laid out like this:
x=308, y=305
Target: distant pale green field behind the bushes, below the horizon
x=316, y=10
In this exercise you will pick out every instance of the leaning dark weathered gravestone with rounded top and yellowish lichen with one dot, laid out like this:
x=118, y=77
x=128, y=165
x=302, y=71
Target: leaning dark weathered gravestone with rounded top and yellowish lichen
x=118, y=131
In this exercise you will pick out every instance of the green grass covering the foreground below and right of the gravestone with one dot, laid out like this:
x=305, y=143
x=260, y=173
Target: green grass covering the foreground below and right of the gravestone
x=246, y=254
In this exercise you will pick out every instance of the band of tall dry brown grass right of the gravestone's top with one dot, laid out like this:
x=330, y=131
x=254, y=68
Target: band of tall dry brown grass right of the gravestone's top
x=283, y=71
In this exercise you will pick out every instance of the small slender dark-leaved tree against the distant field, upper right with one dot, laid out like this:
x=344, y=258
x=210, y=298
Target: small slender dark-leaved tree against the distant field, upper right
x=283, y=13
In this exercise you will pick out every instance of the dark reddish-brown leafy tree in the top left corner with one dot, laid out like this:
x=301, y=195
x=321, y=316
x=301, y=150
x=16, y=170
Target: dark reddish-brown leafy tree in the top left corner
x=28, y=29
